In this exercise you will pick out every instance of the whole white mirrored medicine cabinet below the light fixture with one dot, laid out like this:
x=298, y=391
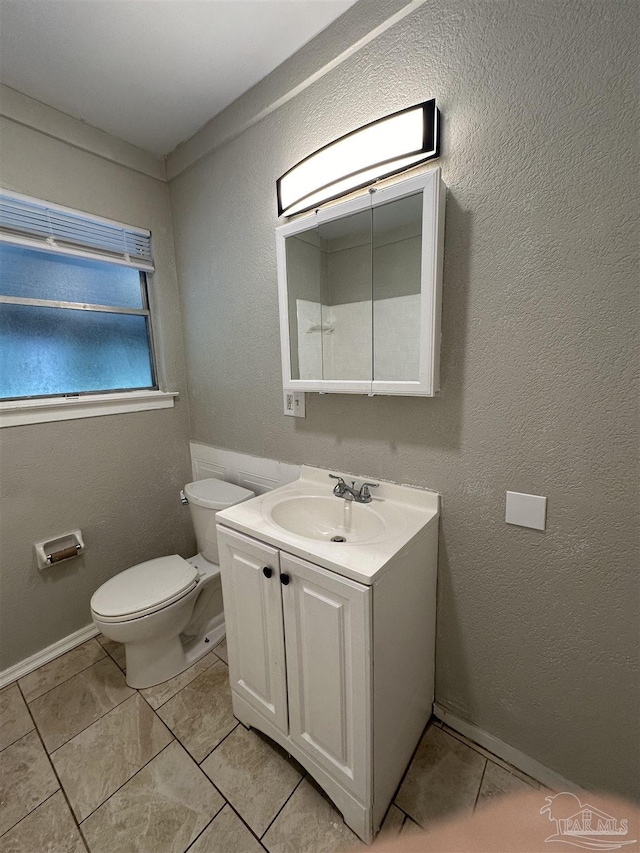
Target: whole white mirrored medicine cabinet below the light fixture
x=359, y=286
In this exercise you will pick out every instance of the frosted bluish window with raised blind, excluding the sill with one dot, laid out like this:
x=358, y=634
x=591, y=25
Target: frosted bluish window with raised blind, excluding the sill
x=74, y=307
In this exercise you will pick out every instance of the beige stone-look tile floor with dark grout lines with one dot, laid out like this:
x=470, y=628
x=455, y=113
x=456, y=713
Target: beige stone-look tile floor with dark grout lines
x=87, y=763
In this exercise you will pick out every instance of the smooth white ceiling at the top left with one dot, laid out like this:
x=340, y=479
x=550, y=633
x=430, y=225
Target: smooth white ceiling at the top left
x=152, y=72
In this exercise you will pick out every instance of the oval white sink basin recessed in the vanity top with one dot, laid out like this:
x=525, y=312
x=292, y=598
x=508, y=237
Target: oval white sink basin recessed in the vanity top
x=328, y=518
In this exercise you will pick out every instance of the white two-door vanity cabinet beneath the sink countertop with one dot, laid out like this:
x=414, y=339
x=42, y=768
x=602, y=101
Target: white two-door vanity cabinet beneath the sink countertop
x=339, y=673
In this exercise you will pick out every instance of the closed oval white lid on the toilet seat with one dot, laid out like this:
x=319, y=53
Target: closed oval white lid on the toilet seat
x=147, y=586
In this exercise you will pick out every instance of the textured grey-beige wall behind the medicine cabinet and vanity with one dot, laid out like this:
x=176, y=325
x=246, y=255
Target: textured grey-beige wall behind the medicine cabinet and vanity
x=536, y=634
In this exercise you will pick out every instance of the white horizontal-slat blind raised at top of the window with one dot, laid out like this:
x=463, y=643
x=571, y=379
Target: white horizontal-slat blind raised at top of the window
x=28, y=221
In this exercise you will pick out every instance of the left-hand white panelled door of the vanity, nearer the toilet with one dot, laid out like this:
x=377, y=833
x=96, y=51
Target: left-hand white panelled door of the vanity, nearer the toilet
x=253, y=617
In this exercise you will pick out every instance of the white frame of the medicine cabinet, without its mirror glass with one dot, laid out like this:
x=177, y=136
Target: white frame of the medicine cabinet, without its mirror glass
x=433, y=207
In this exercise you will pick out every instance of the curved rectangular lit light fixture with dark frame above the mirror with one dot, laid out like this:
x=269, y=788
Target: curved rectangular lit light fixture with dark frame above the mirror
x=377, y=150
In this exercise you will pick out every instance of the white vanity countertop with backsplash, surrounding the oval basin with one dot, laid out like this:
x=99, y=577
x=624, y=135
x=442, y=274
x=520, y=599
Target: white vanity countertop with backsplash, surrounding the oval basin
x=406, y=509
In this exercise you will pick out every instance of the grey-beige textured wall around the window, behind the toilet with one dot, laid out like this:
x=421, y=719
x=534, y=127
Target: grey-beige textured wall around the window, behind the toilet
x=116, y=477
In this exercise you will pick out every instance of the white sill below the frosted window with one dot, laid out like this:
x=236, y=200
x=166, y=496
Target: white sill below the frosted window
x=22, y=412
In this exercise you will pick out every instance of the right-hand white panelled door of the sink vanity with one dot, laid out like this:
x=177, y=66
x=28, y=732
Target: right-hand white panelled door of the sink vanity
x=327, y=630
